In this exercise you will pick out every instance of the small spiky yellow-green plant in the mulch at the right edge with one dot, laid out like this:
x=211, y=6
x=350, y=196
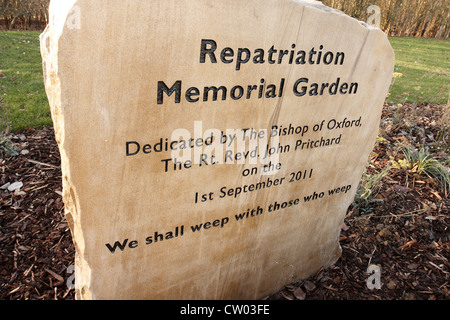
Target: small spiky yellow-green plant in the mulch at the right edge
x=421, y=162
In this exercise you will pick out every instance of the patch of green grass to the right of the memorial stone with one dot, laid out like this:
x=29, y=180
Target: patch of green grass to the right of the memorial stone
x=423, y=67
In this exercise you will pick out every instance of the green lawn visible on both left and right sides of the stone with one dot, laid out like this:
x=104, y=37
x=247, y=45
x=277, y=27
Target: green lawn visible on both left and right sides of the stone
x=422, y=73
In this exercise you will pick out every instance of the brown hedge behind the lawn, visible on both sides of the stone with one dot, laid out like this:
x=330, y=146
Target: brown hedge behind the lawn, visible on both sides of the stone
x=400, y=18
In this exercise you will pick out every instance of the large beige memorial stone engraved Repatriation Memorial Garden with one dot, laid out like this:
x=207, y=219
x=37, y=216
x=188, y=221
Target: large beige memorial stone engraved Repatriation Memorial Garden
x=210, y=149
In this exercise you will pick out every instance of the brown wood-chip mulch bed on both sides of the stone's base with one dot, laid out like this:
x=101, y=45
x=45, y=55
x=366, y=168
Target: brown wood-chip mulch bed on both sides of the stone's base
x=401, y=231
